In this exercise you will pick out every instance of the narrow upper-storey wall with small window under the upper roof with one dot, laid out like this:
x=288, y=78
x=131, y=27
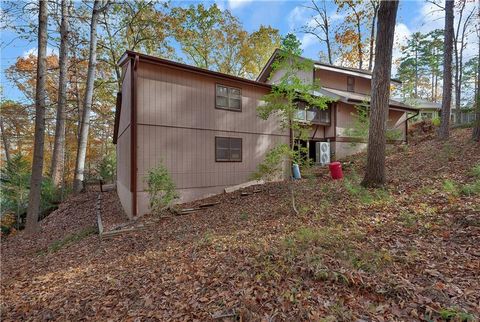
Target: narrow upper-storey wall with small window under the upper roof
x=336, y=80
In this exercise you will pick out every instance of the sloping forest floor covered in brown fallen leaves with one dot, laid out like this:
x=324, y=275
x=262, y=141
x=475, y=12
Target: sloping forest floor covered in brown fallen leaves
x=409, y=252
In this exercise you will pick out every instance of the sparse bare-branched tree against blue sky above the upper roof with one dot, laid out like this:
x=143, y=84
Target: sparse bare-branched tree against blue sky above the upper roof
x=320, y=27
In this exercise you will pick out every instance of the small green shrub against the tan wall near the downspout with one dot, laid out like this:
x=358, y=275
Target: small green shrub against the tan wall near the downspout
x=161, y=188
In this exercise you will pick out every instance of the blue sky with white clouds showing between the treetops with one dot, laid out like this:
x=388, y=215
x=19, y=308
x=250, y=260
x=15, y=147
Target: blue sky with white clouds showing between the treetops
x=287, y=16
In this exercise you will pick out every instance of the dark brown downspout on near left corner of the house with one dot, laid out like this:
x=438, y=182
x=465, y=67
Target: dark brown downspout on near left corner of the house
x=133, y=139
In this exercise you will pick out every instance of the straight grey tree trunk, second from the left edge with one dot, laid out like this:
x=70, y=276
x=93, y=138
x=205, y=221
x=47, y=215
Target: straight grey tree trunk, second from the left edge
x=58, y=156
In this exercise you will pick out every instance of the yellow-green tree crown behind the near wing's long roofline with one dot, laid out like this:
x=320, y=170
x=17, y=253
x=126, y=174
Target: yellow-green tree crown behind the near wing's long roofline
x=215, y=40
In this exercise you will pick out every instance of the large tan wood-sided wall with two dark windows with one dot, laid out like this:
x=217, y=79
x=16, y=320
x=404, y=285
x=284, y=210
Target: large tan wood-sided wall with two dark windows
x=177, y=123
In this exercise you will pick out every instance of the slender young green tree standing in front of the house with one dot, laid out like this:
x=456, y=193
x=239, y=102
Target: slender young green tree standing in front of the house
x=285, y=96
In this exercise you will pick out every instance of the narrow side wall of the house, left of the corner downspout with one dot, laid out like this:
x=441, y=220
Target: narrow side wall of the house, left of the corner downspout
x=124, y=144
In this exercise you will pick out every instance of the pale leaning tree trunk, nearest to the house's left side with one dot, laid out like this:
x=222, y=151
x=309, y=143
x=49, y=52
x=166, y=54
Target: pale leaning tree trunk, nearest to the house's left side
x=87, y=104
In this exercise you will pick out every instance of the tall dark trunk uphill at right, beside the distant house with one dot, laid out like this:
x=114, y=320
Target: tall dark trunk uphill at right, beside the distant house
x=444, y=131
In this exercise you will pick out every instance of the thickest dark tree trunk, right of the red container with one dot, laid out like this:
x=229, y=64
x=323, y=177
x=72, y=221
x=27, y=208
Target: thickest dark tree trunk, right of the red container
x=375, y=170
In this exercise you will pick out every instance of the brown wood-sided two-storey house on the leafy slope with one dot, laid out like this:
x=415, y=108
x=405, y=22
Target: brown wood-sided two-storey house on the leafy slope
x=203, y=125
